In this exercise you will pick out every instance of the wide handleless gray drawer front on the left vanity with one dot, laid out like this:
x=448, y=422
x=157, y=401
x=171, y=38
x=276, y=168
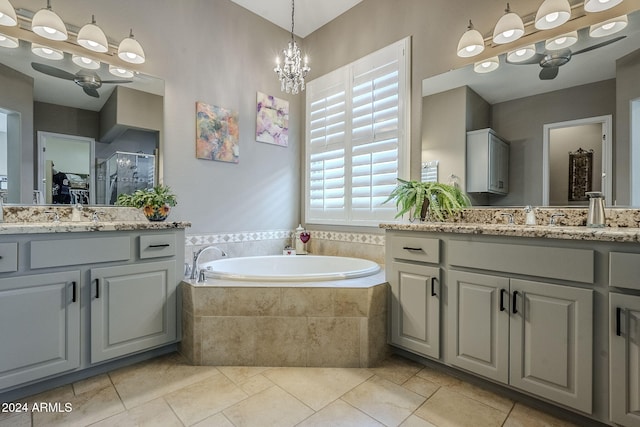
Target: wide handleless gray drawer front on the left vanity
x=58, y=253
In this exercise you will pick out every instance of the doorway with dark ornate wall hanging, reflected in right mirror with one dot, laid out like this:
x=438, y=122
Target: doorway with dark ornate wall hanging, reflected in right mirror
x=576, y=158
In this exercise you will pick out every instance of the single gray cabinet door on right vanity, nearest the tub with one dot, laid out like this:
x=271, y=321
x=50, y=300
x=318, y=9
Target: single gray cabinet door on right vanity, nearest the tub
x=415, y=308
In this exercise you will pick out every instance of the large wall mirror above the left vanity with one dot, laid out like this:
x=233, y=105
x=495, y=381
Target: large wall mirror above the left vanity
x=70, y=134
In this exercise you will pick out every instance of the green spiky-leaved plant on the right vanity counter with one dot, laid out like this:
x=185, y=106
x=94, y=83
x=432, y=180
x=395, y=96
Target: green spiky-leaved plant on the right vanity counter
x=440, y=200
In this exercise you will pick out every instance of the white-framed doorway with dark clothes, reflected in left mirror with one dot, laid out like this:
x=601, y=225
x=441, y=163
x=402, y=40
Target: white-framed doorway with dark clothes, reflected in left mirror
x=65, y=168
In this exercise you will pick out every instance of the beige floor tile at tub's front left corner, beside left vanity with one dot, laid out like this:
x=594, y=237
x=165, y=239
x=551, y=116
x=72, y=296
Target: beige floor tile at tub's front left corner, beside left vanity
x=147, y=381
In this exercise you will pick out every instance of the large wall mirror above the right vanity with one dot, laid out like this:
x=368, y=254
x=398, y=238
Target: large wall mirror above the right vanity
x=584, y=117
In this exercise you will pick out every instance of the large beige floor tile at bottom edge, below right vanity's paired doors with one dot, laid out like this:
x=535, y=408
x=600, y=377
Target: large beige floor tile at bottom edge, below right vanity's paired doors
x=447, y=409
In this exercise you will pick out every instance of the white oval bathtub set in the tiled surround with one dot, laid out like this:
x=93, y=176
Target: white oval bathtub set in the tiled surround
x=288, y=268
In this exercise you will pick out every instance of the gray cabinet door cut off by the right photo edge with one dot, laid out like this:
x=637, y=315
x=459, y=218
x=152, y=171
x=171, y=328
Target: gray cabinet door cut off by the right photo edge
x=624, y=362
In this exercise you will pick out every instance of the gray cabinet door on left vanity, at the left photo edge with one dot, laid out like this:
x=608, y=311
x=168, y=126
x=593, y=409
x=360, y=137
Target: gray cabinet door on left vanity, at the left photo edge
x=40, y=326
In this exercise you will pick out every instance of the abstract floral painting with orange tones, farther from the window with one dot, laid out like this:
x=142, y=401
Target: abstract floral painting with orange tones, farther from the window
x=216, y=133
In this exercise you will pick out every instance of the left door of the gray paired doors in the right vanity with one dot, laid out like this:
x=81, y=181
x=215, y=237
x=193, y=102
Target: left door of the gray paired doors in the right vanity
x=478, y=330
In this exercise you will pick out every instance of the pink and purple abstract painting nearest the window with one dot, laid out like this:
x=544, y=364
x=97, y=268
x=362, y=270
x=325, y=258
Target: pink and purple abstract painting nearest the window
x=272, y=124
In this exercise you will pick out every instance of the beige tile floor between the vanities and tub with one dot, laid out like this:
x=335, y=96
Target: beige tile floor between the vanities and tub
x=169, y=392
